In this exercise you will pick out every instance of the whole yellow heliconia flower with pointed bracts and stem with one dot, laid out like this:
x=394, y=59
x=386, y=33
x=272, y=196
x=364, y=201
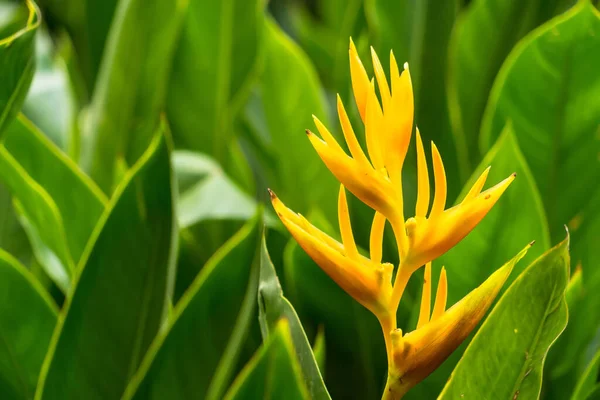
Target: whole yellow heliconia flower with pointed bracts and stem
x=375, y=177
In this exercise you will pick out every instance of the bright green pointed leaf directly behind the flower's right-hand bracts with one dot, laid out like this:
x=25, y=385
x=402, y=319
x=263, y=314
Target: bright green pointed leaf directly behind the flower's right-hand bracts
x=517, y=219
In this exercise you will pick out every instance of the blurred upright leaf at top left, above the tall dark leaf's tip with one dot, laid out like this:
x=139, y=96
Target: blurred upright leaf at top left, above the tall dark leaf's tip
x=129, y=96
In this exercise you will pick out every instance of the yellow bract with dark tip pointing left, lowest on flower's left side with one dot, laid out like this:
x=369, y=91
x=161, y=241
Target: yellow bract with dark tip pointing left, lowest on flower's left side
x=367, y=282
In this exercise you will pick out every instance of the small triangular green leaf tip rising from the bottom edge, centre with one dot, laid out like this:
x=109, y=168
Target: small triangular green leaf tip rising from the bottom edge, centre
x=273, y=373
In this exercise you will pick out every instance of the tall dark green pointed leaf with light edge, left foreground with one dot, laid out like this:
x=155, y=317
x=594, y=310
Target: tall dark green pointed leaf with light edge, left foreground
x=123, y=290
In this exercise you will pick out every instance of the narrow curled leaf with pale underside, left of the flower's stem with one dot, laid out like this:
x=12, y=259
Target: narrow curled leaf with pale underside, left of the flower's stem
x=274, y=307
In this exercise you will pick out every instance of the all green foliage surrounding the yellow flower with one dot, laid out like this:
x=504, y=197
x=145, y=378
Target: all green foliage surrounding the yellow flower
x=137, y=141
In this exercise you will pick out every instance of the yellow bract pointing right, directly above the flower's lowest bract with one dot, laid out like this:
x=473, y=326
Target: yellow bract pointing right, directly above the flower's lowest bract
x=428, y=239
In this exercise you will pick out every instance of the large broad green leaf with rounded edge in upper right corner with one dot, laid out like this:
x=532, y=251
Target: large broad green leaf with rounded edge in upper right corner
x=547, y=89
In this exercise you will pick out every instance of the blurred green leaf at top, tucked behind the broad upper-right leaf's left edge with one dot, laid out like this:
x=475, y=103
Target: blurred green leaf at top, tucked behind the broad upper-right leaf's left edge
x=481, y=39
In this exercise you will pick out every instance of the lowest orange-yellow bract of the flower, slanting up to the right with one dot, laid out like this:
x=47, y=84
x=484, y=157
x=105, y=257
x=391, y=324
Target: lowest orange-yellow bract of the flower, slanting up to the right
x=420, y=352
